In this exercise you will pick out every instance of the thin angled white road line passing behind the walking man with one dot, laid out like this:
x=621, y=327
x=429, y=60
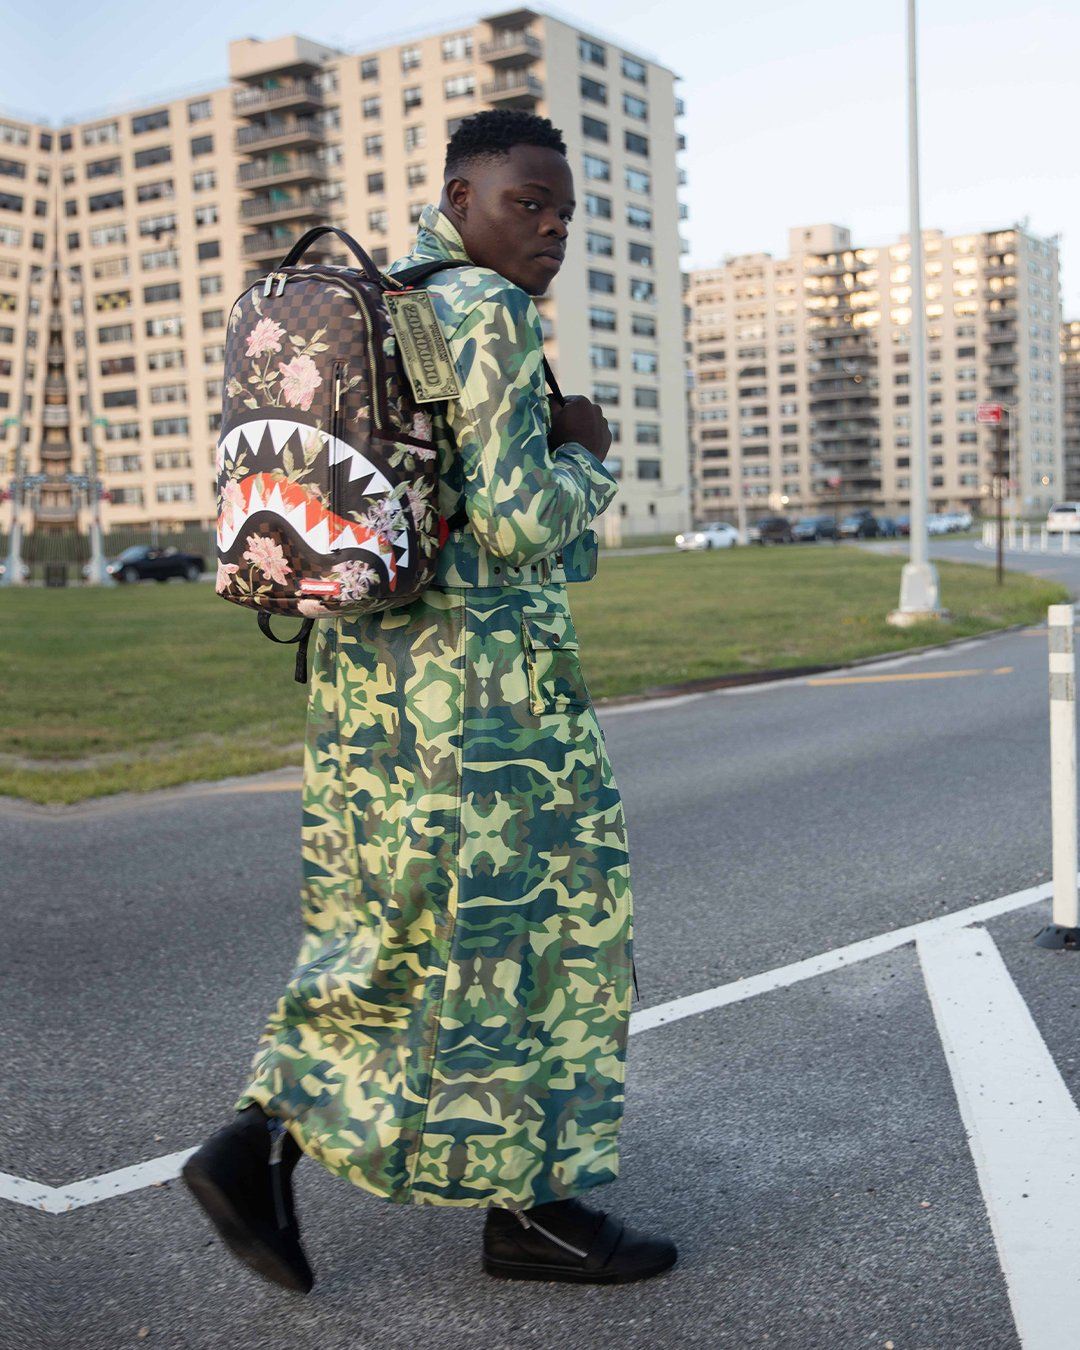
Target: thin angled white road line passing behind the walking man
x=125, y=1181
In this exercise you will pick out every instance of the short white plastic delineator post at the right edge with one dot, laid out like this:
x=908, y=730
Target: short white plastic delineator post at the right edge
x=1064, y=929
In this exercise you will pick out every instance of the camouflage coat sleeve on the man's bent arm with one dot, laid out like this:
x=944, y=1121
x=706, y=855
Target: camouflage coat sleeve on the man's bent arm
x=522, y=499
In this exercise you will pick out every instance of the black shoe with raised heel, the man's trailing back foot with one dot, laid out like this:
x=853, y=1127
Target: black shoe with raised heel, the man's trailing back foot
x=242, y=1178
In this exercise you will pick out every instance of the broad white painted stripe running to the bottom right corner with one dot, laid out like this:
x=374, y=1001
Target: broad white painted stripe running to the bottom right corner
x=1023, y=1125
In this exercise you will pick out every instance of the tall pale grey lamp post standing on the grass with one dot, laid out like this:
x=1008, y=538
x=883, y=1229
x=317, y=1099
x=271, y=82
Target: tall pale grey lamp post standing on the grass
x=919, y=584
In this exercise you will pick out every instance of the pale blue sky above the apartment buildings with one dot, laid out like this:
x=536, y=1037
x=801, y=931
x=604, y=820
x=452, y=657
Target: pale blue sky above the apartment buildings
x=796, y=109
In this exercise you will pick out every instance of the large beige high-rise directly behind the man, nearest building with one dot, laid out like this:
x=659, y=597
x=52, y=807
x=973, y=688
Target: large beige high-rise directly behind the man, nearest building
x=125, y=238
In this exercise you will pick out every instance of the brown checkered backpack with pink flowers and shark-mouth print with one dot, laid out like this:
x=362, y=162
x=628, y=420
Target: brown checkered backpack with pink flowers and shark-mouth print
x=327, y=466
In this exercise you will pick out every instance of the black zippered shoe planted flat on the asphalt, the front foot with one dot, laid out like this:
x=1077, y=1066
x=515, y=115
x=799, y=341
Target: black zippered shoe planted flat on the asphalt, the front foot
x=565, y=1240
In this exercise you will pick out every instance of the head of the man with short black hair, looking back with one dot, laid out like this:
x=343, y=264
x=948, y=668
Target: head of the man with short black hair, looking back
x=510, y=192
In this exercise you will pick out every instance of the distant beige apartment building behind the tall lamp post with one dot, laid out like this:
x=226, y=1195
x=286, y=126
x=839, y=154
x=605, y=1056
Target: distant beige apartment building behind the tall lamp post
x=801, y=384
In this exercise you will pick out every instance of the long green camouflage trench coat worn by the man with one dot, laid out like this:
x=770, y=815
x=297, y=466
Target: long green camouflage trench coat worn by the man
x=456, y=1028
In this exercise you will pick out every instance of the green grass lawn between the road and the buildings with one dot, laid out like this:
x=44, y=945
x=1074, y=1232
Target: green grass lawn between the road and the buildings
x=149, y=686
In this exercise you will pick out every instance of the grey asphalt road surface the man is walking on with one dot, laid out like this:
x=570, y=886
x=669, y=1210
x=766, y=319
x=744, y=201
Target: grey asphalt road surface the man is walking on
x=803, y=1147
